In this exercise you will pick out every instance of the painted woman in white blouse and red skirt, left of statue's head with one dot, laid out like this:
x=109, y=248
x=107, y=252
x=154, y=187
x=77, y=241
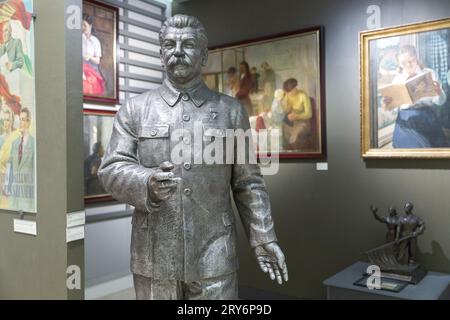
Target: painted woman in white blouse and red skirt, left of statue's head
x=93, y=81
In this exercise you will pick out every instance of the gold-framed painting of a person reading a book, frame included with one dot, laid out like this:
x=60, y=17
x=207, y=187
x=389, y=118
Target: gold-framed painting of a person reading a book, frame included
x=405, y=102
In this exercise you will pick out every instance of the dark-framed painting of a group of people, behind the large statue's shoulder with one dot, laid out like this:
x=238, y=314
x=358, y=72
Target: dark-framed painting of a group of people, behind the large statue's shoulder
x=279, y=79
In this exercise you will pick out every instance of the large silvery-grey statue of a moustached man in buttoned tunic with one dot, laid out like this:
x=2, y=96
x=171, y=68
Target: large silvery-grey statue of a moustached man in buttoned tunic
x=184, y=237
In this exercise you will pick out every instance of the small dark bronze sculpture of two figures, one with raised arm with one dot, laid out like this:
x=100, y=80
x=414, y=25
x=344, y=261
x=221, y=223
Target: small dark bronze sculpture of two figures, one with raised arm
x=397, y=258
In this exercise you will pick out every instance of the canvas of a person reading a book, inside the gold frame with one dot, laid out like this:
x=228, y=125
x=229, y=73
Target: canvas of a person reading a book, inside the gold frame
x=411, y=96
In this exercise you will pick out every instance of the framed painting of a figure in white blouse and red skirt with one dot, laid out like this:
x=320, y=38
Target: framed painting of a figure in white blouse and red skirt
x=100, y=53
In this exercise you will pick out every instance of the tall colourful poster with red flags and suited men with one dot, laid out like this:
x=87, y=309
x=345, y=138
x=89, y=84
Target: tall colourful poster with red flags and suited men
x=17, y=107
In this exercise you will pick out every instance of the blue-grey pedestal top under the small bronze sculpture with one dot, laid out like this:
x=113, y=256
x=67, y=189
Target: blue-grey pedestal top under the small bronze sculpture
x=435, y=286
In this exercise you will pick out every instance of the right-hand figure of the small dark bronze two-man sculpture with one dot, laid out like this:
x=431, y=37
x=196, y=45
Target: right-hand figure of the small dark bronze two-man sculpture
x=410, y=225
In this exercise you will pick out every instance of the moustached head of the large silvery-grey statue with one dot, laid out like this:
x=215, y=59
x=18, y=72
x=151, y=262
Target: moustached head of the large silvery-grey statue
x=184, y=48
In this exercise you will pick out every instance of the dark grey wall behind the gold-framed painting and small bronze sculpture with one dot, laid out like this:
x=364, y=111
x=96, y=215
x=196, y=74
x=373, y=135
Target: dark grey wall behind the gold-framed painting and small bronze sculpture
x=322, y=218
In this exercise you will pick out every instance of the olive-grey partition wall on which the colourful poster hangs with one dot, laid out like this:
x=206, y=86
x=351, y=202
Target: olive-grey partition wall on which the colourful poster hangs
x=35, y=267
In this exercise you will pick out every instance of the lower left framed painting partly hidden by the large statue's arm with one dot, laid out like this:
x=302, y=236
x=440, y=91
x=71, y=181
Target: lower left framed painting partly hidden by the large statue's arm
x=98, y=126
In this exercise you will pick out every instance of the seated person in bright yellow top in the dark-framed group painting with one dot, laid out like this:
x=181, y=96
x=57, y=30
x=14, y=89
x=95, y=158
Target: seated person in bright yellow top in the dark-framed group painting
x=298, y=114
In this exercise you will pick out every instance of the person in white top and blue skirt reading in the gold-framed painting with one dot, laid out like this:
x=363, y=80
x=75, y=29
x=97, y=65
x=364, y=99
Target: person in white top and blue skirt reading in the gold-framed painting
x=417, y=125
